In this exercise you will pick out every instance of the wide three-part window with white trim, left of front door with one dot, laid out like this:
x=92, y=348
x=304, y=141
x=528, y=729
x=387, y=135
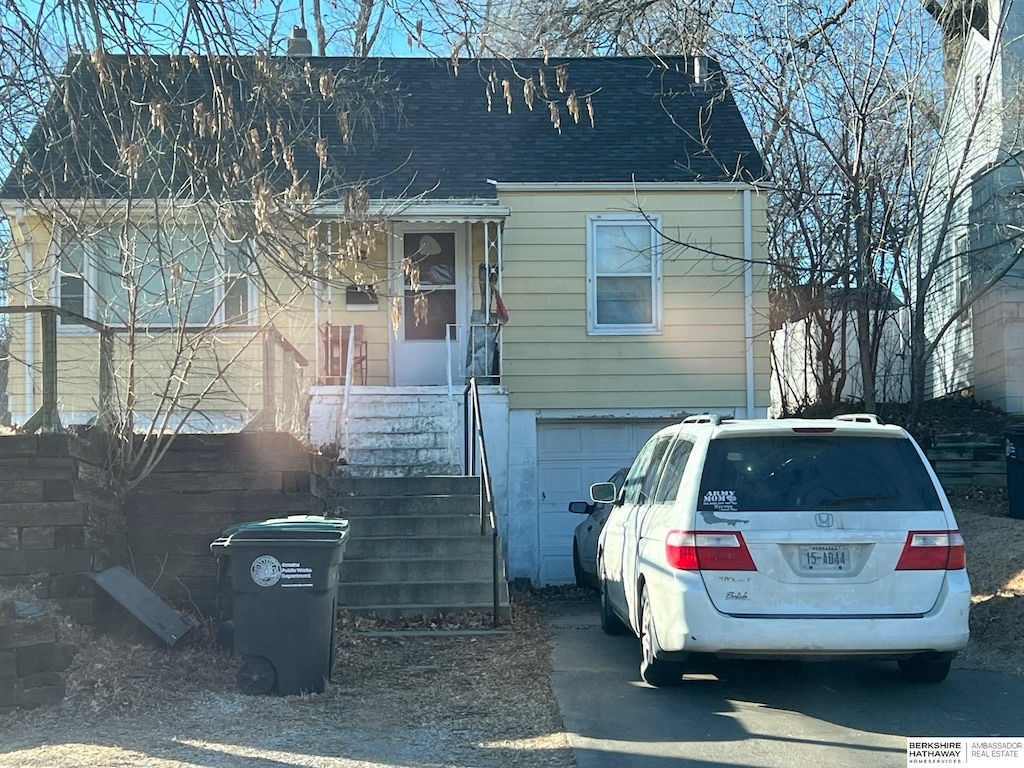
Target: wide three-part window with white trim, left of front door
x=151, y=276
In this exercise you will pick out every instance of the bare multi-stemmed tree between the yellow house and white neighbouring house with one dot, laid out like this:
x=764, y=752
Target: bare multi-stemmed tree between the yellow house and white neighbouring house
x=837, y=95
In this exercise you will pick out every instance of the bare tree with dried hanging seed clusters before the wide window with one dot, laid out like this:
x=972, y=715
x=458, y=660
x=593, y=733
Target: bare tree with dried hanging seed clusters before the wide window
x=181, y=167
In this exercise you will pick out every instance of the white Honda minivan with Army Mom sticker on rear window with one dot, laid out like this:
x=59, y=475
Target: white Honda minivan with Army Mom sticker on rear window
x=784, y=539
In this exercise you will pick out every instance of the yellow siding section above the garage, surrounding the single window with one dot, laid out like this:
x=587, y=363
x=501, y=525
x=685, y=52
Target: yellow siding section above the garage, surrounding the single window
x=698, y=361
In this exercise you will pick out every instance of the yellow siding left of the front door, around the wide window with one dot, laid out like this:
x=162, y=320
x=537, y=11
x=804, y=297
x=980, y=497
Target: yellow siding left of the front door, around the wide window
x=225, y=368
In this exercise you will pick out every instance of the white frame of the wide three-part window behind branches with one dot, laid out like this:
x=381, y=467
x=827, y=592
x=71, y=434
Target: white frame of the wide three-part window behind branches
x=93, y=304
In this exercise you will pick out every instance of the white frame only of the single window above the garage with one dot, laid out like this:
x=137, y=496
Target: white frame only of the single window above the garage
x=594, y=223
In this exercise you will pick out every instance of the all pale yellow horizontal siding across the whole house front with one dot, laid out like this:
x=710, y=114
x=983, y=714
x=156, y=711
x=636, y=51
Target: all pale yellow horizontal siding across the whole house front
x=698, y=361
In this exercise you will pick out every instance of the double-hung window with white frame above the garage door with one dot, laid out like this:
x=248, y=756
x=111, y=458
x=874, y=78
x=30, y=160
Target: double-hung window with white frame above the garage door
x=624, y=275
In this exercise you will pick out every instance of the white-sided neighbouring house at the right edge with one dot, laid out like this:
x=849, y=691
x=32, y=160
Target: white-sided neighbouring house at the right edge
x=977, y=180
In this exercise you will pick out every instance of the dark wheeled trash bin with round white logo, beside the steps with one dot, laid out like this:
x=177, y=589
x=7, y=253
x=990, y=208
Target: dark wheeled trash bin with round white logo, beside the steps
x=285, y=591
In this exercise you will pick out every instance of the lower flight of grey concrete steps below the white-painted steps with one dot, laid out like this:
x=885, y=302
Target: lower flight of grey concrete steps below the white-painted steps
x=415, y=547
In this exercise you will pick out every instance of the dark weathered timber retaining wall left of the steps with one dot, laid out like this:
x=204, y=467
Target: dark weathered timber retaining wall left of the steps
x=61, y=524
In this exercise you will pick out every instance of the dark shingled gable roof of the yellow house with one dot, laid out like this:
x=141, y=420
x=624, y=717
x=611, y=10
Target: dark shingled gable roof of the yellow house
x=402, y=126
